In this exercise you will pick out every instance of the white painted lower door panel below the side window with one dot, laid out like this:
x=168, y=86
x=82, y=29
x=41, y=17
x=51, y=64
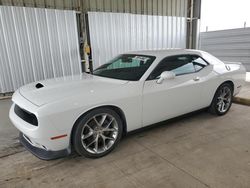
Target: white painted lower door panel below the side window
x=171, y=98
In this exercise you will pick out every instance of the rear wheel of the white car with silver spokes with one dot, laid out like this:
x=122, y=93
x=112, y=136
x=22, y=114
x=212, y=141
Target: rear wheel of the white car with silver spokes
x=222, y=100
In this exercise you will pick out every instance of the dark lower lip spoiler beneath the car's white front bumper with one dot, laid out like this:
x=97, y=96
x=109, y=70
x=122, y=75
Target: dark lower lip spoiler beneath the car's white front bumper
x=42, y=153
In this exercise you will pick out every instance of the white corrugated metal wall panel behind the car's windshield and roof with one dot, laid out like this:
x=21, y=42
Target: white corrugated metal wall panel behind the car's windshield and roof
x=115, y=33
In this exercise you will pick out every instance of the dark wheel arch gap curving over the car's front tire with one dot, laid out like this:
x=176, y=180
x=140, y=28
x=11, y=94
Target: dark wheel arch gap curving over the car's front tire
x=118, y=110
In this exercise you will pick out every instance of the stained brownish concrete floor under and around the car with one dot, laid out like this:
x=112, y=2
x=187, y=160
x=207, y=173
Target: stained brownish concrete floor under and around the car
x=200, y=150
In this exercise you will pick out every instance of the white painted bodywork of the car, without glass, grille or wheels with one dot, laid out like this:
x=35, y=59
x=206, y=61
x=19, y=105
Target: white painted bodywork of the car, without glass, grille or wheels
x=62, y=101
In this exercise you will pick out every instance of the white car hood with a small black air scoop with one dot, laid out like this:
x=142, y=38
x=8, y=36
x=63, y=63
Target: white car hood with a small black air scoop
x=51, y=90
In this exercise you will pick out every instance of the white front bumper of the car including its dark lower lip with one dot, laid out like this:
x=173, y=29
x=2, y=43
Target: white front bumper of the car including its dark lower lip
x=39, y=139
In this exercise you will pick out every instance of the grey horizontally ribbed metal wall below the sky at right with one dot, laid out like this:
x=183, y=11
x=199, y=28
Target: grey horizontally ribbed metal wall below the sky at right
x=228, y=45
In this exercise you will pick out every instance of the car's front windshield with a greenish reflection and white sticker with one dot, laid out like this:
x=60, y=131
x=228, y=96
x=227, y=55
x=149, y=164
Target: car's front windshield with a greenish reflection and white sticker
x=125, y=67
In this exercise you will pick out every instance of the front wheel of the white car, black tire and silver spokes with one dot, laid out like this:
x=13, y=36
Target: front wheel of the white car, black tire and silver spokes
x=97, y=133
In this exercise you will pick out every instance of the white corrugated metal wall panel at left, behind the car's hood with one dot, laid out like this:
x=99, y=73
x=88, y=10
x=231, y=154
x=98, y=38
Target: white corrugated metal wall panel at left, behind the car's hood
x=36, y=44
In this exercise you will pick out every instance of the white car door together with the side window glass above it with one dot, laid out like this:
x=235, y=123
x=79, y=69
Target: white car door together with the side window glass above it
x=174, y=97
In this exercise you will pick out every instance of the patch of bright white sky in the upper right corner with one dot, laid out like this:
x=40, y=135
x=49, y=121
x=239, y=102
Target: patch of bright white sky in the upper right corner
x=224, y=14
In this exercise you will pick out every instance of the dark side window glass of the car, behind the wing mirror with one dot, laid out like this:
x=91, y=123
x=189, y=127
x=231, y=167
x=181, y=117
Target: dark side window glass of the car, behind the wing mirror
x=180, y=65
